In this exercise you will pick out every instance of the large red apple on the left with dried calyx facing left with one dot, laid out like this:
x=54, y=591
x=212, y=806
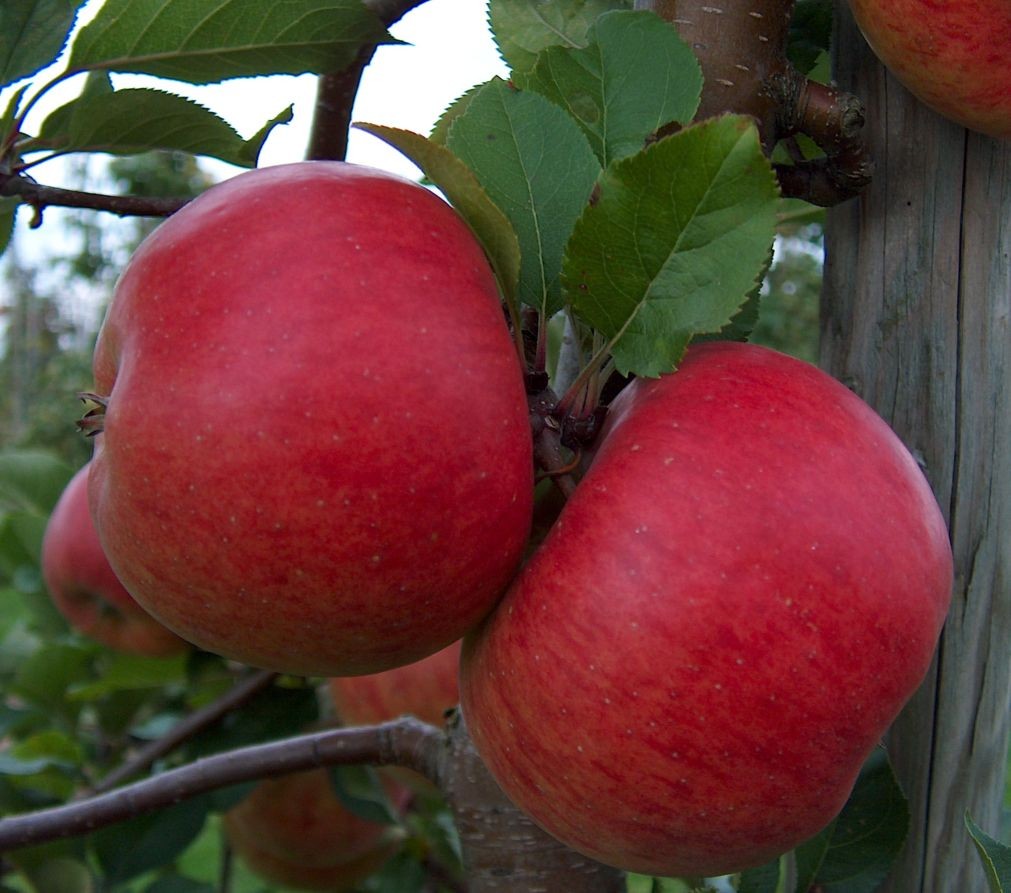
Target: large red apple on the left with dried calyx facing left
x=317, y=451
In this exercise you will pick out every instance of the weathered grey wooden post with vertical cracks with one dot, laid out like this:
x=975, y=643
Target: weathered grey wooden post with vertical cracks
x=915, y=319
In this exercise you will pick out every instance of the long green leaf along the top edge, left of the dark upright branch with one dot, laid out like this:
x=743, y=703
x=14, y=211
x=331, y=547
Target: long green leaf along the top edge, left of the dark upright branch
x=202, y=43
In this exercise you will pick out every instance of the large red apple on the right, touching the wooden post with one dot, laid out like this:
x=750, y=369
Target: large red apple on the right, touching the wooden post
x=744, y=591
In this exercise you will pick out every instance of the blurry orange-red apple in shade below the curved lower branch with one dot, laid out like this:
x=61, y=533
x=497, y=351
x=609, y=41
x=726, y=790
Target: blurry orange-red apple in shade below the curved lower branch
x=294, y=831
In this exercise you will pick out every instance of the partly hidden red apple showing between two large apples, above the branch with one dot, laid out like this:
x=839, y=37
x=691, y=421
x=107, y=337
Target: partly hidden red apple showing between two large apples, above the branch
x=426, y=689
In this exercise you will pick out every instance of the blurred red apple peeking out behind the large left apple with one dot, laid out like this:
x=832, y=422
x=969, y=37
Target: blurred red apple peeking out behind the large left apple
x=84, y=588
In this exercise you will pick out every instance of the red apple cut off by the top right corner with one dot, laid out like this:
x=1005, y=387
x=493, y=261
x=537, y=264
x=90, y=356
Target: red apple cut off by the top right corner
x=953, y=56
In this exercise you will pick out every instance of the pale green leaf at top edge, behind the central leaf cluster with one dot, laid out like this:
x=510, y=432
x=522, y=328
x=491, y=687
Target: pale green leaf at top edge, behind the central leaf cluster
x=522, y=29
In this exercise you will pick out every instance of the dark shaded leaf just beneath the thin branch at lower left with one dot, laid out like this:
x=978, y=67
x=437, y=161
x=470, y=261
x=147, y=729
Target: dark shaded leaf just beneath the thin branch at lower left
x=140, y=845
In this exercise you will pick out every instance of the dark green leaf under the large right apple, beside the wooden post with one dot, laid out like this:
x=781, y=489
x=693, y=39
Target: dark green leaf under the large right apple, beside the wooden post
x=856, y=853
